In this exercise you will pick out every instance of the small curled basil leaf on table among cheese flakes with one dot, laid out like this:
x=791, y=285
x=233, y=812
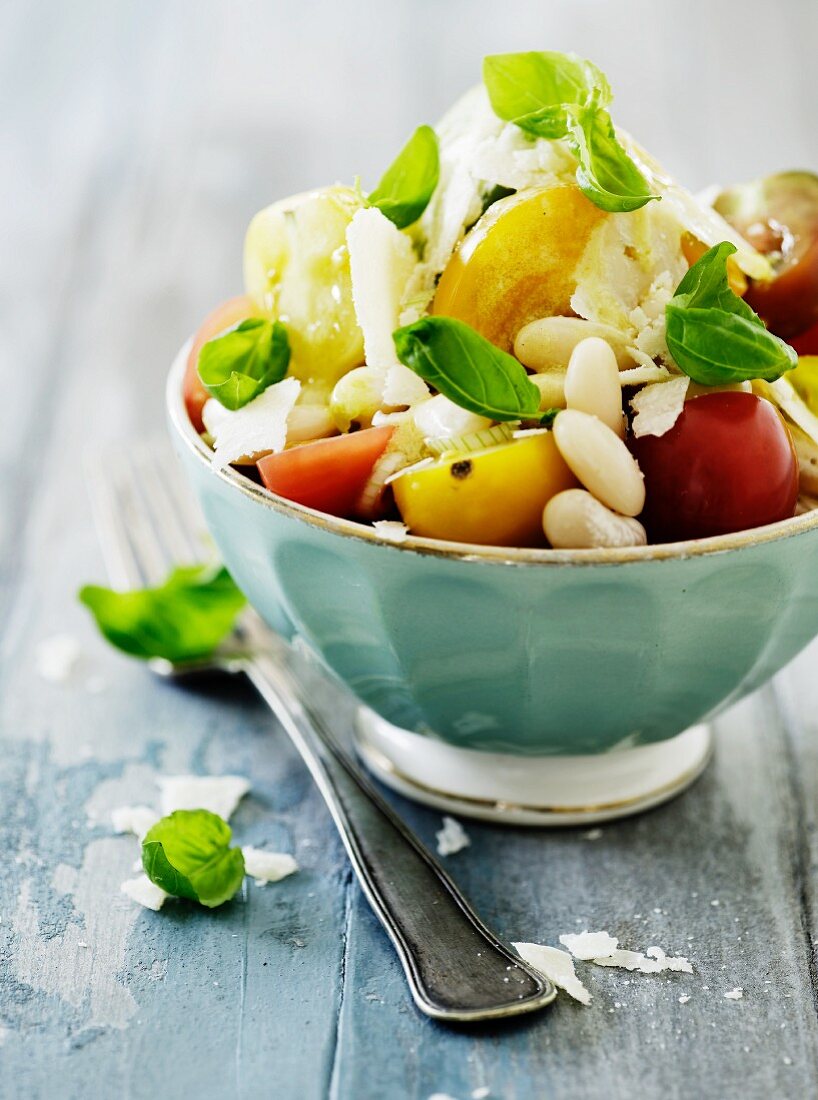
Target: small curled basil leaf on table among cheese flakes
x=189, y=855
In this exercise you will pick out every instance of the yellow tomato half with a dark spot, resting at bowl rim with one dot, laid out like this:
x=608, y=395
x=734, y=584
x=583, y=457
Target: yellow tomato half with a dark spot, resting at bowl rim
x=494, y=498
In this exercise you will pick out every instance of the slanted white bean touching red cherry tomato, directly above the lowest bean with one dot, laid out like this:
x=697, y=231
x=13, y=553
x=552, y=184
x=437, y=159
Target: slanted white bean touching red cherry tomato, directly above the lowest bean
x=600, y=459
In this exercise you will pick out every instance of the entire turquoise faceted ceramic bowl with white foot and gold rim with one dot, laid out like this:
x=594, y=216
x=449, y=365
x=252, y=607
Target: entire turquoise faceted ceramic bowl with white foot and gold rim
x=544, y=686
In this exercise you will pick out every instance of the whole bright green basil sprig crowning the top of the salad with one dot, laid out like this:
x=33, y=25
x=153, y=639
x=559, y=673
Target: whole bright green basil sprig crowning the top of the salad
x=562, y=96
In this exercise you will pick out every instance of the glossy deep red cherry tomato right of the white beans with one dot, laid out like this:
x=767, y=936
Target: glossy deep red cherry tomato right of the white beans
x=727, y=465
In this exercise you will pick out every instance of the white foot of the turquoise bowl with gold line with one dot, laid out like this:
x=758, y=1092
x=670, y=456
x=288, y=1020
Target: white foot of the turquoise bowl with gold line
x=517, y=790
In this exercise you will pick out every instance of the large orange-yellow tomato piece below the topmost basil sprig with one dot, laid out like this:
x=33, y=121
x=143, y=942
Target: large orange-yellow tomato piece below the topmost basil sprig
x=518, y=262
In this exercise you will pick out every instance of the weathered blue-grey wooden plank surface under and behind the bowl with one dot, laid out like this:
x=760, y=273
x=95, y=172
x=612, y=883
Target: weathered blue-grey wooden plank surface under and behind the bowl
x=137, y=141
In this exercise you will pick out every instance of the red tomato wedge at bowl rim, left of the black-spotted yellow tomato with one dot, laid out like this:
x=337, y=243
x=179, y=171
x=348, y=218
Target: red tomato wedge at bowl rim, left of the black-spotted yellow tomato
x=328, y=476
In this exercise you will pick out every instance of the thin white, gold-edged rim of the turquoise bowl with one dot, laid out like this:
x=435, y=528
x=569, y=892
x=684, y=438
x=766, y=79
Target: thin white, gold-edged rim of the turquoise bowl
x=463, y=552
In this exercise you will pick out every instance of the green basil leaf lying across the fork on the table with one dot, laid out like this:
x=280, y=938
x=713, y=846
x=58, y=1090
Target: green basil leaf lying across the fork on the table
x=183, y=620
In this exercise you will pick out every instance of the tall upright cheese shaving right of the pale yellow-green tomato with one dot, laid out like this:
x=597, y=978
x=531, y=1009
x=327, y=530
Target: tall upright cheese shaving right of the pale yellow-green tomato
x=382, y=261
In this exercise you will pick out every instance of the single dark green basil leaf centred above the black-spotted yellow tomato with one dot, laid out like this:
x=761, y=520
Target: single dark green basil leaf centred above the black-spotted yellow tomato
x=467, y=369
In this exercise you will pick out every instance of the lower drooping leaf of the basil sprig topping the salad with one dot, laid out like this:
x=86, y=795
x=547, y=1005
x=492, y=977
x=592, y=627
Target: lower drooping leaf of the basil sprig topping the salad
x=606, y=174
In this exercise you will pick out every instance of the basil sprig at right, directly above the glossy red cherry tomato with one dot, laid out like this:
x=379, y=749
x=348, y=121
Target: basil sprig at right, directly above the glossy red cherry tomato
x=714, y=336
